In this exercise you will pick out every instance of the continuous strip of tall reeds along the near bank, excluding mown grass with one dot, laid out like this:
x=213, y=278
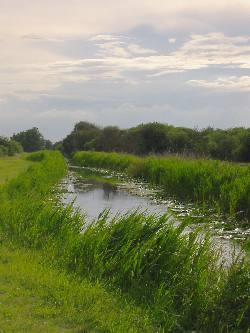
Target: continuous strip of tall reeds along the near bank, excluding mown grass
x=174, y=277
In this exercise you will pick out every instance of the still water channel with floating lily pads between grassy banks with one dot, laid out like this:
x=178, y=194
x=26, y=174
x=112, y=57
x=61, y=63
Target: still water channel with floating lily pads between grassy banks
x=95, y=190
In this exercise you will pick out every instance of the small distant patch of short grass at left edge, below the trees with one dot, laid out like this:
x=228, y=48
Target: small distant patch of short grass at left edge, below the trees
x=10, y=167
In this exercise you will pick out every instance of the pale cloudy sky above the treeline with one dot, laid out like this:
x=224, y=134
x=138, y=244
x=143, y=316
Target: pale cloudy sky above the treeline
x=113, y=62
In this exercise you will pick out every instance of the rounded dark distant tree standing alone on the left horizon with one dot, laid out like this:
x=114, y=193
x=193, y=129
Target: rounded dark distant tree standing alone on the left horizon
x=31, y=140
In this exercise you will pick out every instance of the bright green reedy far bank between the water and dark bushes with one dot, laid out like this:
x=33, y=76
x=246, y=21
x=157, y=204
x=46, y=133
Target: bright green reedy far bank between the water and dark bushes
x=224, y=185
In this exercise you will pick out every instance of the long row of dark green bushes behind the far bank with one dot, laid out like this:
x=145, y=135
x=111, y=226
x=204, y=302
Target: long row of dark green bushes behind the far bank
x=232, y=144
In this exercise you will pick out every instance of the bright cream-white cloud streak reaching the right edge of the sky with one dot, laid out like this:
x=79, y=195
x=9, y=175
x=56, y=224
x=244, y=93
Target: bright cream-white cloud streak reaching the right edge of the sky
x=201, y=51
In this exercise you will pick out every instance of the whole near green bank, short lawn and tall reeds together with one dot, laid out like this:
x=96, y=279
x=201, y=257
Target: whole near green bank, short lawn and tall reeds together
x=135, y=273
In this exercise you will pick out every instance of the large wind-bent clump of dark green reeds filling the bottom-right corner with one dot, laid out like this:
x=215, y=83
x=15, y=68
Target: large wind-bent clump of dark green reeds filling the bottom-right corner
x=175, y=276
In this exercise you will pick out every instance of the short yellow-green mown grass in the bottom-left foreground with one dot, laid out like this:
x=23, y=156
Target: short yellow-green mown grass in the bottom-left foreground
x=37, y=298
